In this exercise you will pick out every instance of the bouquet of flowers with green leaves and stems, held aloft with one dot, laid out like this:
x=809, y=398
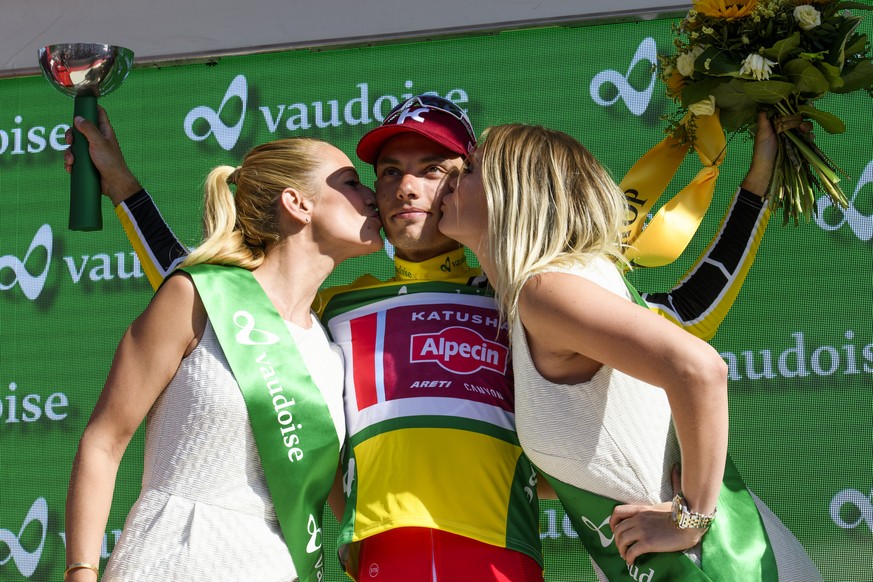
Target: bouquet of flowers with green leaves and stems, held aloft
x=735, y=57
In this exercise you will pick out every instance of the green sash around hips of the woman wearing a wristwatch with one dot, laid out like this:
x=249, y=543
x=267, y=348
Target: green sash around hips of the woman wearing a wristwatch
x=736, y=547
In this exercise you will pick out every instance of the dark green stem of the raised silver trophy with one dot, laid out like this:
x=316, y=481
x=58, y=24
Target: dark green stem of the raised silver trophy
x=84, y=179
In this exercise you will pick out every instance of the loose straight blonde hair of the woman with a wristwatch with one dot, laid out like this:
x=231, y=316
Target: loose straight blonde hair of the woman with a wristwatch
x=550, y=204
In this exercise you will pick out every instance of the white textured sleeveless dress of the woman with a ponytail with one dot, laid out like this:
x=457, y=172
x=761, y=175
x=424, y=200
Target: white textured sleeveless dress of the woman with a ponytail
x=204, y=512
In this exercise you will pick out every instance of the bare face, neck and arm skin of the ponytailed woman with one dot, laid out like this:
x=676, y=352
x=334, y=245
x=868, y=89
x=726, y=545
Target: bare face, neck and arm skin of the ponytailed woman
x=316, y=230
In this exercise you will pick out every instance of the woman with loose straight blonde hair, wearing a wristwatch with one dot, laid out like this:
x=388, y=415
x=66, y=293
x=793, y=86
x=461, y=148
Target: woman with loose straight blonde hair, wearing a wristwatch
x=607, y=391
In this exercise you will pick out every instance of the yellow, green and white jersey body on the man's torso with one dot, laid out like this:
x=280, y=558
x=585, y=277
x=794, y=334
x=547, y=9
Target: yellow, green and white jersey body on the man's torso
x=430, y=409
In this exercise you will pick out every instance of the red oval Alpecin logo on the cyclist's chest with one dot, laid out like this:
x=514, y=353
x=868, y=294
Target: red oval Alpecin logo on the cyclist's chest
x=460, y=350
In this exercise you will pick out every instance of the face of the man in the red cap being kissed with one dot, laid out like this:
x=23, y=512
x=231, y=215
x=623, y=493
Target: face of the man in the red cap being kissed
x=412, y=175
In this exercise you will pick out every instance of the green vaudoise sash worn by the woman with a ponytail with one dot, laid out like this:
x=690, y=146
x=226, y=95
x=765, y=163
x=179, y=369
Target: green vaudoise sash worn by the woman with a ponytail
x=292, y=425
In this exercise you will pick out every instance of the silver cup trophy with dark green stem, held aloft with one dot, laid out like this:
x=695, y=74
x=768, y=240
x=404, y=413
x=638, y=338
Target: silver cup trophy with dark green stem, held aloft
x=85, y=72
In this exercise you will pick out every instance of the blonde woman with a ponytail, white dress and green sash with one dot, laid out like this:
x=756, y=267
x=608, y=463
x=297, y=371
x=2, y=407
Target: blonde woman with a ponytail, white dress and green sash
x=209, y=508
